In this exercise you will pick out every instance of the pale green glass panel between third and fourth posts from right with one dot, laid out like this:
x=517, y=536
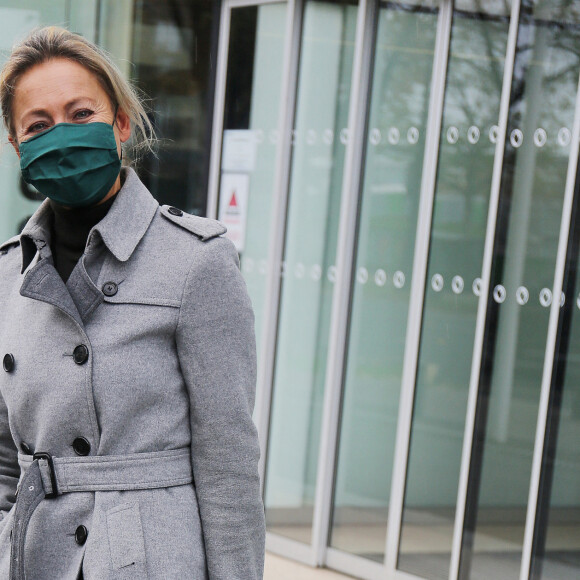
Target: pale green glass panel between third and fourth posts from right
x=390, y=199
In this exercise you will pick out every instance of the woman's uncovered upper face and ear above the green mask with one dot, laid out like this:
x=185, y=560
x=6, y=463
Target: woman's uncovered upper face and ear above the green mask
x=62, y=91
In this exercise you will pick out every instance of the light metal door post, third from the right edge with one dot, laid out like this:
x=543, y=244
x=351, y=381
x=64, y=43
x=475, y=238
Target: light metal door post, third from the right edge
x=420, y=264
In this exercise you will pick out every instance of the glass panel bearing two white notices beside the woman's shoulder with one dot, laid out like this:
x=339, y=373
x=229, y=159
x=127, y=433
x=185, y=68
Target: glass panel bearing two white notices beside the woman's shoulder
x=252, y=103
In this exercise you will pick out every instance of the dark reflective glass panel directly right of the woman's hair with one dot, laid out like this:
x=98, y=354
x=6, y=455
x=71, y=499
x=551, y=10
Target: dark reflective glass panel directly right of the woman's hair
x=173, y=52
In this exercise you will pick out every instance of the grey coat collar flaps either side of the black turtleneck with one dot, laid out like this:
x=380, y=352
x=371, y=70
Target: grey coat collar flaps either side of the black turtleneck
x=121, y=229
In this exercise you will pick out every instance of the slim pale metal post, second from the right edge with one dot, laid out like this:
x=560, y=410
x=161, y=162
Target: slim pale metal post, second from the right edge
x=482, y=306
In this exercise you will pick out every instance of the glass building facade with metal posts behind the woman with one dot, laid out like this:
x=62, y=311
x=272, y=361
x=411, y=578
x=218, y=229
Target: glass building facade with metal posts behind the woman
x=401, y=181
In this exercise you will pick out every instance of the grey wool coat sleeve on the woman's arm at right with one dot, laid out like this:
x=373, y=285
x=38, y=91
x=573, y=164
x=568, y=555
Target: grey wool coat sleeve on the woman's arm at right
x=217, y=354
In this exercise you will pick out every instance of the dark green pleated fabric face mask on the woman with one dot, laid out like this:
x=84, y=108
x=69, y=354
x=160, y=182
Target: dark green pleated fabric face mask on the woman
x=74, y=165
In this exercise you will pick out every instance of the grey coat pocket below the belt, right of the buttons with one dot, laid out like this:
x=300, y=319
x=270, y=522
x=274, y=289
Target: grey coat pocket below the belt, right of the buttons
x=126, y=543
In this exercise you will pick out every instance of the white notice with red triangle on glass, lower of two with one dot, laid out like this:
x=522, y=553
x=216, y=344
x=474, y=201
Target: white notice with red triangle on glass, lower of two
x=233, y=211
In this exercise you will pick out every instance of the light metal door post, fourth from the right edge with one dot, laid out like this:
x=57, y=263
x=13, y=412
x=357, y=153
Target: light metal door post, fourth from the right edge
x=355, y=150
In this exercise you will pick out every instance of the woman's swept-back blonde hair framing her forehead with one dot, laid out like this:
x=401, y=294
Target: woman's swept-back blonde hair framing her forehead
x=44, y=44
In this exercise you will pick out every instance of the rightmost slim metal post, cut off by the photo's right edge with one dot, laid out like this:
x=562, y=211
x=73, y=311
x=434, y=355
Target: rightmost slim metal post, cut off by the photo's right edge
x=548, y=371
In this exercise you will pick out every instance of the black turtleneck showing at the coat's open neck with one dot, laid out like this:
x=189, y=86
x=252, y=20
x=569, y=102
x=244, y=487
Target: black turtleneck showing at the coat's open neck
x=70, y=231
